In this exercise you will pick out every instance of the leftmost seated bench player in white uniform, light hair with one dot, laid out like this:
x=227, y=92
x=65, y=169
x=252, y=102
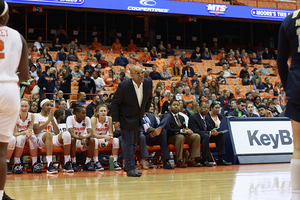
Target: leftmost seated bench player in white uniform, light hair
x=24, y=136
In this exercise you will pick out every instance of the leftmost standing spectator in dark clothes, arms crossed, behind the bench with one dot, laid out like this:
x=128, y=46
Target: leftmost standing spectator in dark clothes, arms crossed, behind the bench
x=46, y=83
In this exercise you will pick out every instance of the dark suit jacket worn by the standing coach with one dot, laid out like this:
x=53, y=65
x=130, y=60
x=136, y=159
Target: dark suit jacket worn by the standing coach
x=125, y=107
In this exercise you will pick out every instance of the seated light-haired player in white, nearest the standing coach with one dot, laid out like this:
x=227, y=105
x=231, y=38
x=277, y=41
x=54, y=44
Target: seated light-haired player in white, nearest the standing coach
x=102, y=129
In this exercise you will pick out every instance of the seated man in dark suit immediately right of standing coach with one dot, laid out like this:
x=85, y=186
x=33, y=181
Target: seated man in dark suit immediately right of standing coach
x=150, y=123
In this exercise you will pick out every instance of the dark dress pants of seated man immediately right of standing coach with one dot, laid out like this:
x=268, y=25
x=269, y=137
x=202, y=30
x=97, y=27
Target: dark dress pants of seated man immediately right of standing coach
x=160, y=140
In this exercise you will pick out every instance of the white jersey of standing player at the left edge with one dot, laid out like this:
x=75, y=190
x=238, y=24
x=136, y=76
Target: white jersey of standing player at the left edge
x=10, y=54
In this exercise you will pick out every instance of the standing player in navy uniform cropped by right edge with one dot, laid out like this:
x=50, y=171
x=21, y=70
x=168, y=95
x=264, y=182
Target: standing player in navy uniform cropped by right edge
x=289, y=39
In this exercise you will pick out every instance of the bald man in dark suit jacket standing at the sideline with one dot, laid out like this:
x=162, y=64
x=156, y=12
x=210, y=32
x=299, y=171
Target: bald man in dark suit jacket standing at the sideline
x=131, y=100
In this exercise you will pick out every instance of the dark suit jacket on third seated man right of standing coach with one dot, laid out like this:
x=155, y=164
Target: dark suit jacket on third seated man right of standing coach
x=196, y=124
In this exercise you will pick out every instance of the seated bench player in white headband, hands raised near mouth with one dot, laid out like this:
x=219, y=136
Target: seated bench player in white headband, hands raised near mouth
x=45, y=126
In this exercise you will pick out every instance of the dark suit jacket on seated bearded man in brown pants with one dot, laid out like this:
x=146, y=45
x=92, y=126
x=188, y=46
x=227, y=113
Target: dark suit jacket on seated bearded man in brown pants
x=171, y=124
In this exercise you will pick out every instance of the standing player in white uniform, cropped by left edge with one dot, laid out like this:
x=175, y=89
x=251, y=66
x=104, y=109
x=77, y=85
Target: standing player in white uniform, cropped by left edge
x=13, y=57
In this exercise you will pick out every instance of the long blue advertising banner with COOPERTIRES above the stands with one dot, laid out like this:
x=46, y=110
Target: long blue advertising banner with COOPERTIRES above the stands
x=172, y=7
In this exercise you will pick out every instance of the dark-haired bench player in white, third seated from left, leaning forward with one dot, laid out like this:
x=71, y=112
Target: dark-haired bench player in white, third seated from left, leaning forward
x=77, y=125
